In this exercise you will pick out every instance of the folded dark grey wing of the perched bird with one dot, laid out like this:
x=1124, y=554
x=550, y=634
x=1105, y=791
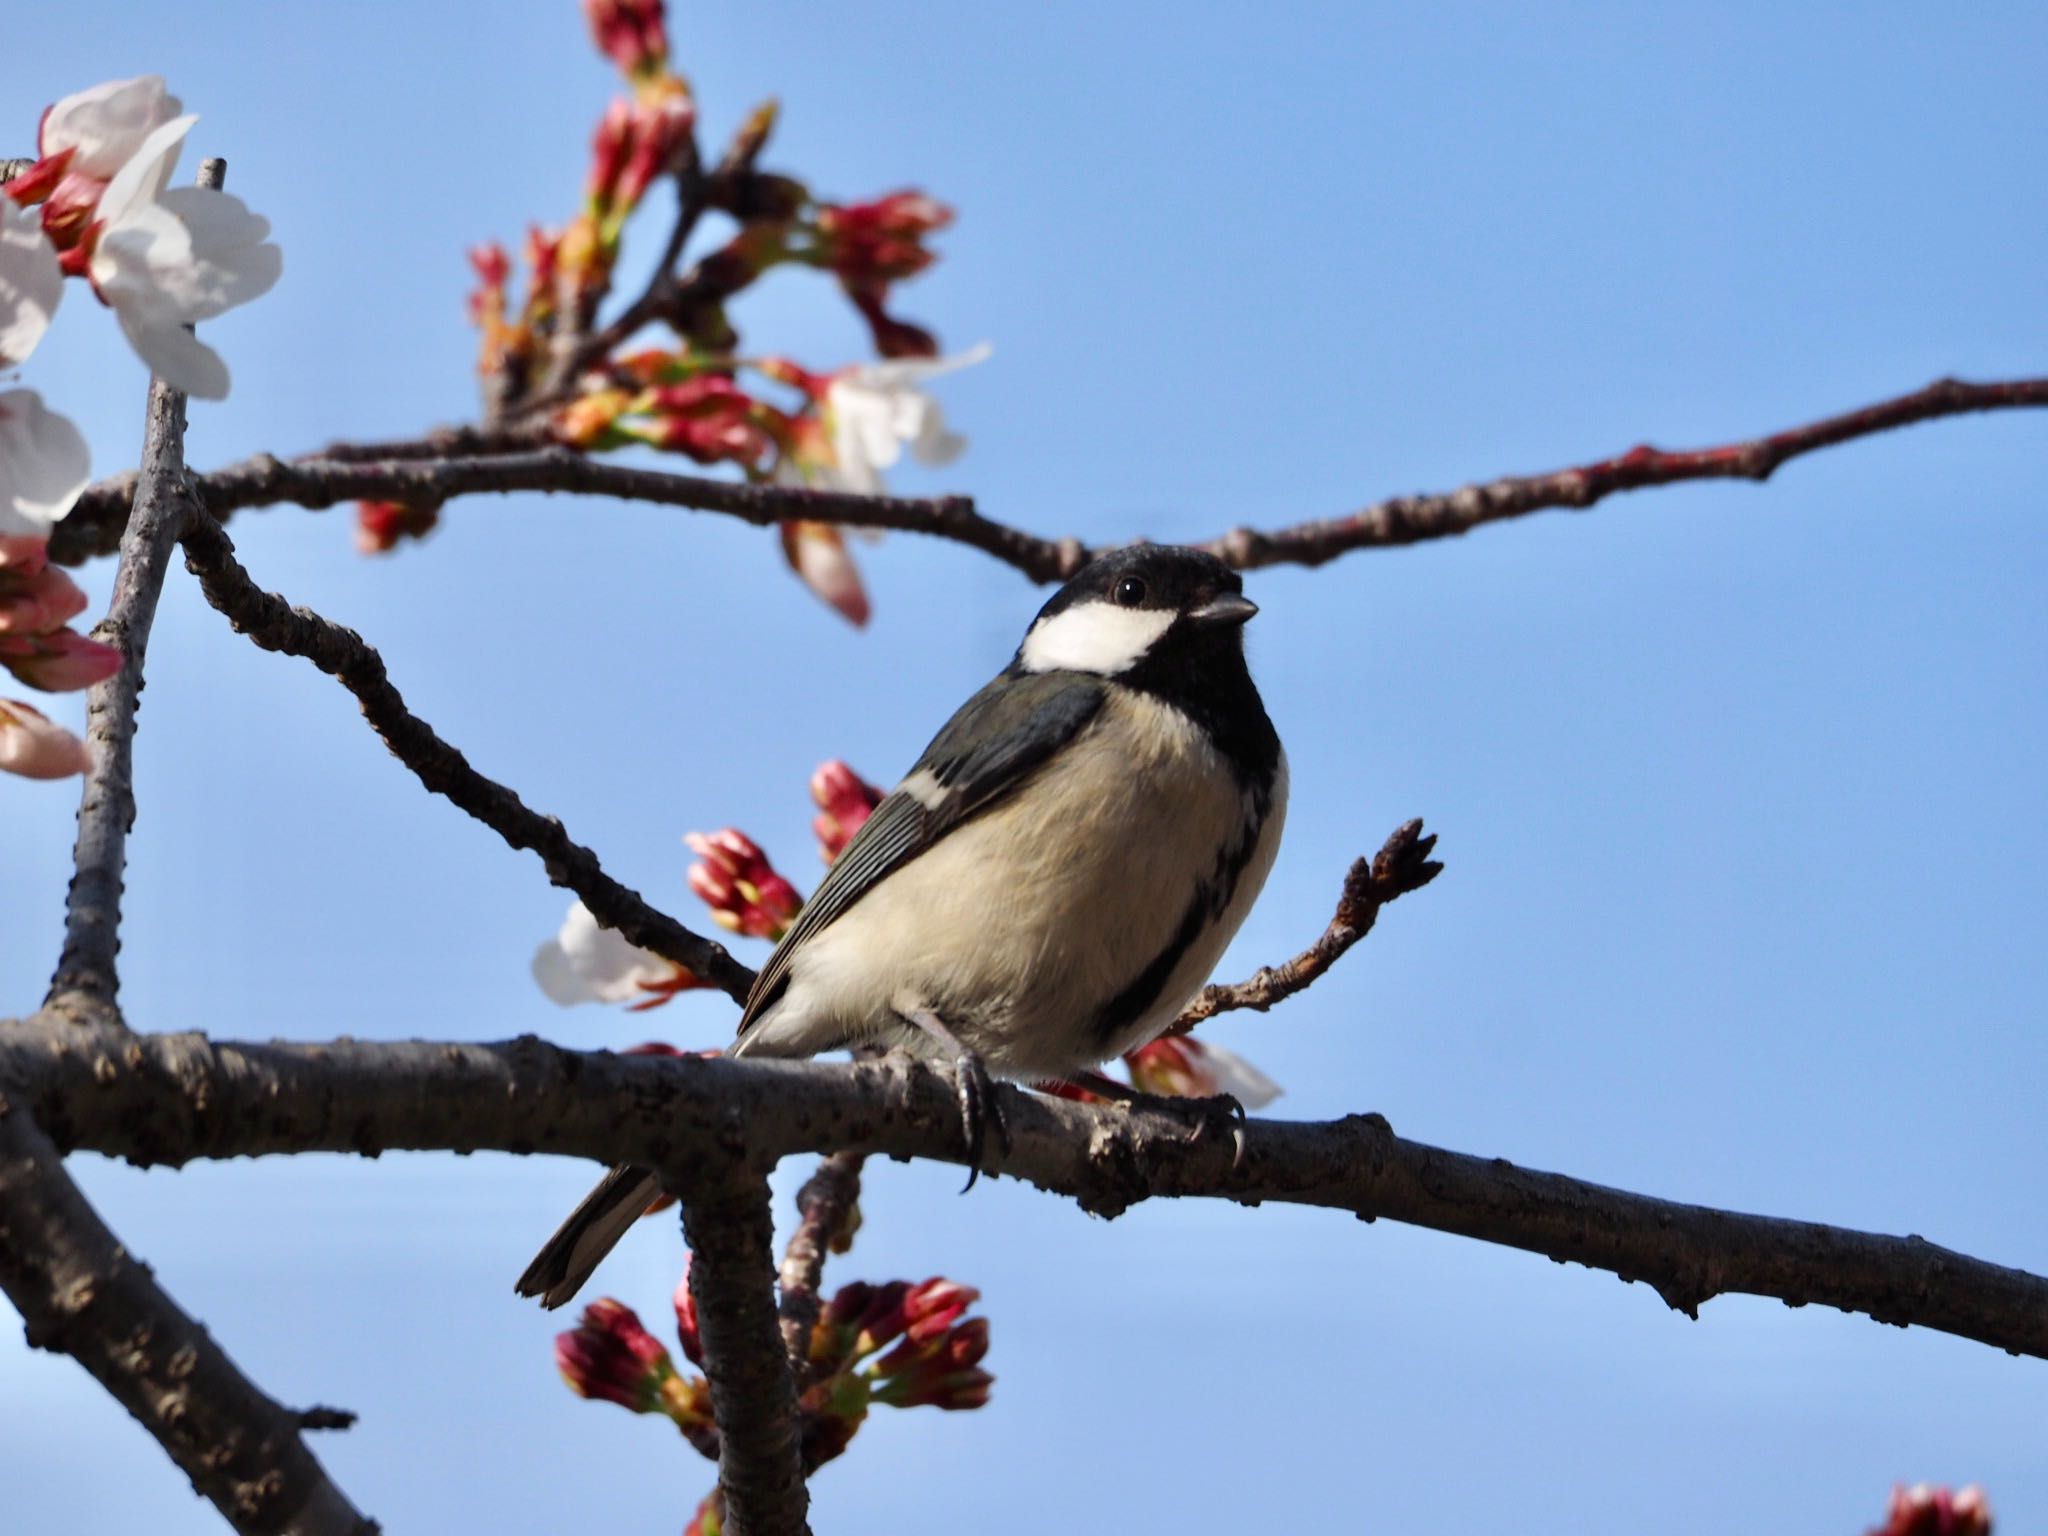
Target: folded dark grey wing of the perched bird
x=992, y=746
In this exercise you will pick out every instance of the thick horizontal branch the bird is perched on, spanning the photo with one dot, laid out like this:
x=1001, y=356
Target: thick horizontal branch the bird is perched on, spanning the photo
x=171, y=1099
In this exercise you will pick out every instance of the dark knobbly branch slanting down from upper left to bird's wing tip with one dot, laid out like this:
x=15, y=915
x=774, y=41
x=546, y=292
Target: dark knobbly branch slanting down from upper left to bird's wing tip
x=343, y=654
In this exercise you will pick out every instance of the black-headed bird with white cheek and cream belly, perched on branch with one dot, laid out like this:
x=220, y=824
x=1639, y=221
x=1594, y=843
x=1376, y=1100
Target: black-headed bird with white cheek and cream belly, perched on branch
x=1050, y=886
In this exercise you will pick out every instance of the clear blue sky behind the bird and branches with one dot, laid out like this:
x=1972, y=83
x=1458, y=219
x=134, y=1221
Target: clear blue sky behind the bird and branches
x=1740, y=787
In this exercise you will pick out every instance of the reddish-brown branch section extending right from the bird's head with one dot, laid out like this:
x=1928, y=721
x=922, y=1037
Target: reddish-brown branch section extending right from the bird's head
x=1414, y=519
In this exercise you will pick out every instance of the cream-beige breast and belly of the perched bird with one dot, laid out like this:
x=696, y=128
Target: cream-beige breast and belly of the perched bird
x=1023, y=968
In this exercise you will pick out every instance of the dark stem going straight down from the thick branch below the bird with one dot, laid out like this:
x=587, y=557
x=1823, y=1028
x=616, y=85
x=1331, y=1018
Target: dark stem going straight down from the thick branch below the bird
x=732, y=1277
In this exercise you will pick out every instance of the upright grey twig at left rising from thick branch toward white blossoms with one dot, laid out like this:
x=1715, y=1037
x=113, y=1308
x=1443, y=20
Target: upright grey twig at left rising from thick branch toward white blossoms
x=108, y=806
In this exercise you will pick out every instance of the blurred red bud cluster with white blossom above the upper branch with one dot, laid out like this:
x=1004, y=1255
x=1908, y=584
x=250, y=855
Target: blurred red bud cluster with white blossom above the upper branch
x=546, y=359
